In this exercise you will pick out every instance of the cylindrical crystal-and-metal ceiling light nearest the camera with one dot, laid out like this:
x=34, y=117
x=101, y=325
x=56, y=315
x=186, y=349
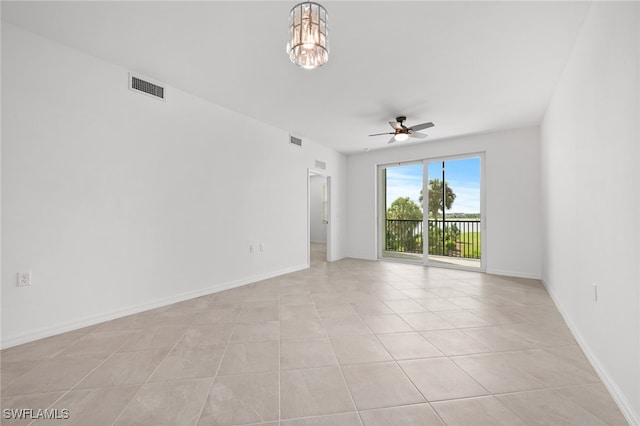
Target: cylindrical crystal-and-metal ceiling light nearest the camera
x=308, y=45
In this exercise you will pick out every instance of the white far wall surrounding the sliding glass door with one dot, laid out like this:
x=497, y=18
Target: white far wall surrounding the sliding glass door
x=512, y=196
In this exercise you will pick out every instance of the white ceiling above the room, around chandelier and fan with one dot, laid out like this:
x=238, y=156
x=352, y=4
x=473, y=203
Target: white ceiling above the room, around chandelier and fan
x=470, y=67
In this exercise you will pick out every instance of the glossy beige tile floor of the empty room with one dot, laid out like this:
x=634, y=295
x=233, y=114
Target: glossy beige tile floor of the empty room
x=344, y=343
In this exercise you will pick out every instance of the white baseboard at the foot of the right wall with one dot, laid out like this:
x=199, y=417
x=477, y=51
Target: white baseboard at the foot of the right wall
x=617, y=395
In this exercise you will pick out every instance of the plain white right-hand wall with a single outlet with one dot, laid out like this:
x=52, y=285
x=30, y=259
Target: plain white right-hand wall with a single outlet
x=590, y=137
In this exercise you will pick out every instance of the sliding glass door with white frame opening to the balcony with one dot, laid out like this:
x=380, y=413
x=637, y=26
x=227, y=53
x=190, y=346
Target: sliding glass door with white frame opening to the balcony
x=431, y=212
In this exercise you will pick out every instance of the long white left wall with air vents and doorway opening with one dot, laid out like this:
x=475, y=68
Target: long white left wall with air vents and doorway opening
x=117, y=202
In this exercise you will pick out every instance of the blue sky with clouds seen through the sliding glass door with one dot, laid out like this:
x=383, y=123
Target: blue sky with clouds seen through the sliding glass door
x=463, y=176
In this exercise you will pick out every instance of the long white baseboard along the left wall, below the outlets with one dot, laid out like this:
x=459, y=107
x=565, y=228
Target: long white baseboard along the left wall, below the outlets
x=87, y=321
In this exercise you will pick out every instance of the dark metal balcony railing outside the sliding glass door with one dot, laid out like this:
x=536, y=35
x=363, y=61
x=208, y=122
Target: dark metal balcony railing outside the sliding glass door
x=455, y=238
